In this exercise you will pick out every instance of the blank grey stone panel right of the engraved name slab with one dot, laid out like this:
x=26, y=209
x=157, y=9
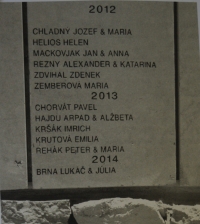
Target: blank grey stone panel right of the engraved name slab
x=189, y=70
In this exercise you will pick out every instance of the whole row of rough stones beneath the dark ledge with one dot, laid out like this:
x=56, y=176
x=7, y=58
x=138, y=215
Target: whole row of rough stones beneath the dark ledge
x=104, y=211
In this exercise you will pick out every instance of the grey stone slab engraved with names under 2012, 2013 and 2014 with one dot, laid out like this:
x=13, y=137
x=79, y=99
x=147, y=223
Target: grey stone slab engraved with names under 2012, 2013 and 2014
x=102, y=94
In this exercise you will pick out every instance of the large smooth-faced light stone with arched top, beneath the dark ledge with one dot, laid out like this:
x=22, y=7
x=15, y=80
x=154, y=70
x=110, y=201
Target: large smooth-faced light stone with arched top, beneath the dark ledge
x=117, y=210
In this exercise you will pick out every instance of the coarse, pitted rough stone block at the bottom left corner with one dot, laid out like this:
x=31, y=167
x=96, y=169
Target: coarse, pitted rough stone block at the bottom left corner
x=35, y=212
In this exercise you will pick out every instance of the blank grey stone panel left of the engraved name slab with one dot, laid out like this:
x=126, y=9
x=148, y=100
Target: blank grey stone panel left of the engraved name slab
x=13, y=174
